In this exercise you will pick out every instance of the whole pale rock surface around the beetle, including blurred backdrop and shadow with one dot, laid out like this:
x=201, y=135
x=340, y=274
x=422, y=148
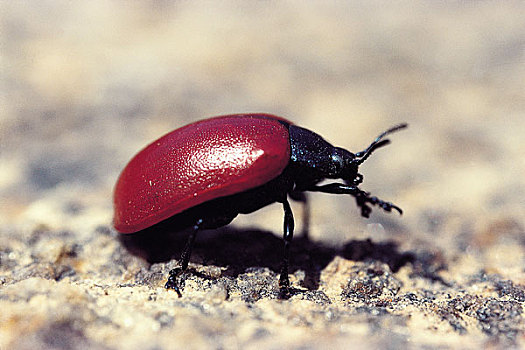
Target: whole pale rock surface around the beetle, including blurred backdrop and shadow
x=85, y=85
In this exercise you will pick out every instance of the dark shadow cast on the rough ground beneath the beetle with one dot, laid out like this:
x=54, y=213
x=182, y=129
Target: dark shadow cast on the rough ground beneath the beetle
x=239, y=249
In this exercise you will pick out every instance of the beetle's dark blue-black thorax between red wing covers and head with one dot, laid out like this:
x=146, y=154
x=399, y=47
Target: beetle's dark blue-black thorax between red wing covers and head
x=314, y=159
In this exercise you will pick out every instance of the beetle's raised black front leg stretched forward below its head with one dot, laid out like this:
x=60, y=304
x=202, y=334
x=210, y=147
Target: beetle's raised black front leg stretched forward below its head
x=361, y=197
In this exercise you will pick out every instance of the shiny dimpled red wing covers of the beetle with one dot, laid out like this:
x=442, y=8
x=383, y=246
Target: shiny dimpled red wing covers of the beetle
x=199, y=162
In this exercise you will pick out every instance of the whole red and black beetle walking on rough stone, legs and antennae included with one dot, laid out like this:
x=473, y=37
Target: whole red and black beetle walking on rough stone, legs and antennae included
x=204, y=174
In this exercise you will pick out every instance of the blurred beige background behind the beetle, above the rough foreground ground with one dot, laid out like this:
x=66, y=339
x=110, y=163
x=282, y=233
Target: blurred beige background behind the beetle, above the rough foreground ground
x=84, y=85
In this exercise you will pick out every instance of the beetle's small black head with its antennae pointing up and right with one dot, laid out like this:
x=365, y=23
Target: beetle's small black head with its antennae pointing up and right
x=345, y=164
